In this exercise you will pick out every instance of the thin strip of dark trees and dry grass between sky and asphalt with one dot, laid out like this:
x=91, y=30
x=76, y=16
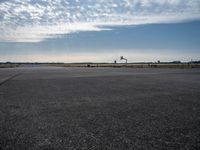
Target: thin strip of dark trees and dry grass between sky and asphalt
x=158, y=64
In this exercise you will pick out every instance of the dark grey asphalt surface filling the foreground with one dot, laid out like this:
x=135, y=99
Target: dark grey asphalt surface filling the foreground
x=57, y=108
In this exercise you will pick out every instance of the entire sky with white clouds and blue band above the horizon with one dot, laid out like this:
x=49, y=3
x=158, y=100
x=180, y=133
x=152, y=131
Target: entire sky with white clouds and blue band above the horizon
x=99, y=30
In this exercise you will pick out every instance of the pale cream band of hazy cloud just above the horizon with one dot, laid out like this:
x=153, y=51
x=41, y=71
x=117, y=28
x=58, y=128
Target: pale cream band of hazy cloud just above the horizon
x=100, y=57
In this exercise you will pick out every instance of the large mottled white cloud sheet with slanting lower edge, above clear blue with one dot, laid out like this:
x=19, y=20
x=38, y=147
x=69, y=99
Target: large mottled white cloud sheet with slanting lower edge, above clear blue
x=37, y=20
